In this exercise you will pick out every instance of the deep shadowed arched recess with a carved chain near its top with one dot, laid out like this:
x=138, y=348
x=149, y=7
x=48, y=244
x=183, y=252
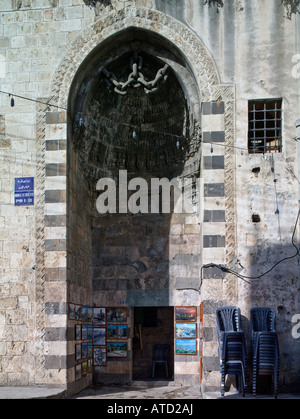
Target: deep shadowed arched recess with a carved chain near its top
x=134, y=133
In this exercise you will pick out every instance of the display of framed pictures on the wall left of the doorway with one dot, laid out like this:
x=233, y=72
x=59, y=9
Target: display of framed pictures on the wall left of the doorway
x=101, y=334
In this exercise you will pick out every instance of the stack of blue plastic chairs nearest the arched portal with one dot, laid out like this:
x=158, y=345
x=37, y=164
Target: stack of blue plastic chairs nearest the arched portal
x=232, y=347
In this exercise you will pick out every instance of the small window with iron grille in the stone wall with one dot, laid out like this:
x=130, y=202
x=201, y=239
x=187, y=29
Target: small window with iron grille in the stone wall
x=265, y=126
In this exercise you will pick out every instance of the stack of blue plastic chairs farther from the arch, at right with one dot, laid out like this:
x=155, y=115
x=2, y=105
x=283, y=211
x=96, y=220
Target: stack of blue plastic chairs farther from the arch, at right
x=264, y=343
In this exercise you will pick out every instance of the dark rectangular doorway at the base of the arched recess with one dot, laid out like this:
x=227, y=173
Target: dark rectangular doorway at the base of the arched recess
x=152, y=326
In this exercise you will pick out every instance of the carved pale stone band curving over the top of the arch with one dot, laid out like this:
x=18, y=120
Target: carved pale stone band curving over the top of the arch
x=197, y=55
